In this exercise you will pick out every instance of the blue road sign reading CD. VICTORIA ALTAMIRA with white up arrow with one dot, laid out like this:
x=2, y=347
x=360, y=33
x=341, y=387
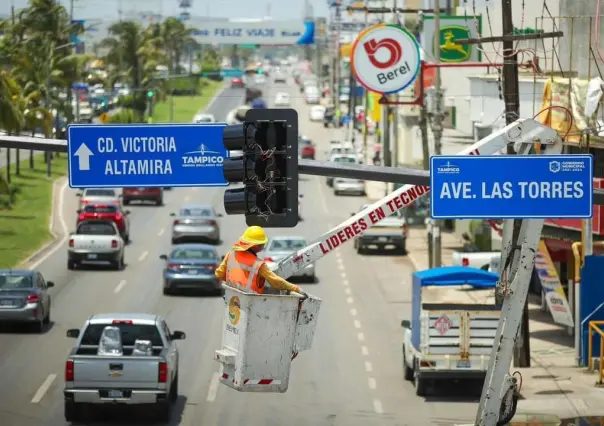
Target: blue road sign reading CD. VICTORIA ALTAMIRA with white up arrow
x=159, y=155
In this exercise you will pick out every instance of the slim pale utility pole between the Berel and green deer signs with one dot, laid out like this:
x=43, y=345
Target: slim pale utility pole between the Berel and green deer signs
x=437, y=128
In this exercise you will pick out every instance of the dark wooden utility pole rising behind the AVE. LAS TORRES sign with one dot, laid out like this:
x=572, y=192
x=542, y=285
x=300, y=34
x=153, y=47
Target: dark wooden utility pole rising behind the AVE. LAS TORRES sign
x=522, y=350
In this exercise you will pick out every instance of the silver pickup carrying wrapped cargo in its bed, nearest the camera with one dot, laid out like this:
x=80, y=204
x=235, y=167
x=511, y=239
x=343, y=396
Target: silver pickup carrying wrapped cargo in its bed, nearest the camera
x=129, y=359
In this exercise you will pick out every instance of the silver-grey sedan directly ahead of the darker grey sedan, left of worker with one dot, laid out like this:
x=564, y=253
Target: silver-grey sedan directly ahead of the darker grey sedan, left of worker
x=196, y=223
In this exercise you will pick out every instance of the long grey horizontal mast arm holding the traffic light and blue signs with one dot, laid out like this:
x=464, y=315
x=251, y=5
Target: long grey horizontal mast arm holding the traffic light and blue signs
x=309, y=167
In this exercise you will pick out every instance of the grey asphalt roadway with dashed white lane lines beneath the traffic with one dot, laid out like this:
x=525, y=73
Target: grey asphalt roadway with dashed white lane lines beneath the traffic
x=352, y=375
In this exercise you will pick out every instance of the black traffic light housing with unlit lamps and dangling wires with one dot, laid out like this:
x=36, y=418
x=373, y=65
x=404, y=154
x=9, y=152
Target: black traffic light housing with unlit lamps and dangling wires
x=268, y=168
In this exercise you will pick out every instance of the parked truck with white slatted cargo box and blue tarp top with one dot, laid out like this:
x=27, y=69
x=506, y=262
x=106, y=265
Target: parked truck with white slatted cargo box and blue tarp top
x=449, y=337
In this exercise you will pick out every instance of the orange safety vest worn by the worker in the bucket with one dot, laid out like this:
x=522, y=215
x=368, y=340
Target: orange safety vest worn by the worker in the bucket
x=242, y=272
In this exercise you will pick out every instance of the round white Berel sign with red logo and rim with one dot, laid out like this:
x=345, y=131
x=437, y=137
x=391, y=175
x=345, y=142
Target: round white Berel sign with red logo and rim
x=385, y=58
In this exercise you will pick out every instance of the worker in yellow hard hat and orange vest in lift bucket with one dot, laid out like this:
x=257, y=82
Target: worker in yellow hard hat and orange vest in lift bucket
x=242, y=269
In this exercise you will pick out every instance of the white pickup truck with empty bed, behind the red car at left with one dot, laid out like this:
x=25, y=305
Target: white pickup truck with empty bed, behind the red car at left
x=94, y=242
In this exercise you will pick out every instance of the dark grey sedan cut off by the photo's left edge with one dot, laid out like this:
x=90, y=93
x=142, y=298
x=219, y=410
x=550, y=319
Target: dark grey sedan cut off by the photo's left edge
x=24, y=297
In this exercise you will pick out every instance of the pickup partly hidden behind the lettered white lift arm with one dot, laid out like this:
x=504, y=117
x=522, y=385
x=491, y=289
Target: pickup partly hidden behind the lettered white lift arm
x=390, y=232
